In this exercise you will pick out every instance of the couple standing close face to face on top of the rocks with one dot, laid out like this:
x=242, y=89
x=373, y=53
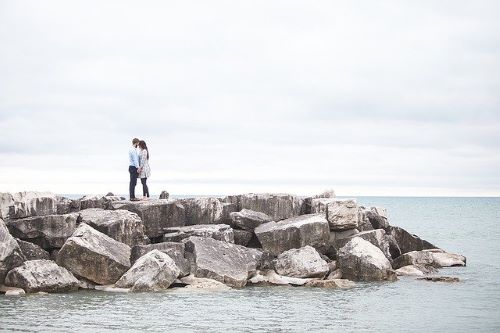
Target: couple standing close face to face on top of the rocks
x=138, y=167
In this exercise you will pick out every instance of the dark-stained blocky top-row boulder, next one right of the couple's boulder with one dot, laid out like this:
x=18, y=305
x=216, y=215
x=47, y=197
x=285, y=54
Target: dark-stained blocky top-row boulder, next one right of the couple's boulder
x=205, y=211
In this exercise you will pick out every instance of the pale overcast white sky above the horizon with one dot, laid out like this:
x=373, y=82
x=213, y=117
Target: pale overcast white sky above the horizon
x=397, y=98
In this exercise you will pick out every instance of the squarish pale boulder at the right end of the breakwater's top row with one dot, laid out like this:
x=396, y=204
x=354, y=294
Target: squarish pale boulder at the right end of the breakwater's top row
x=342, y=214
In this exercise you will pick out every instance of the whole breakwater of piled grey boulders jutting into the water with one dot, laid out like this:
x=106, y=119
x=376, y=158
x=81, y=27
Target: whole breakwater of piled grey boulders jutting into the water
x=103, y=242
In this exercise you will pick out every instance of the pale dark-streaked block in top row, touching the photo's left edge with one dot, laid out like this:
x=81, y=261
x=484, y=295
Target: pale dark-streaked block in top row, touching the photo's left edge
x=25, y=204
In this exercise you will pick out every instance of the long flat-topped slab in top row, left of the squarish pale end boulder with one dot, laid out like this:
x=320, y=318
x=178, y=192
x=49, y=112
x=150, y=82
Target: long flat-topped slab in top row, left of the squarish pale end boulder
x=277, y=206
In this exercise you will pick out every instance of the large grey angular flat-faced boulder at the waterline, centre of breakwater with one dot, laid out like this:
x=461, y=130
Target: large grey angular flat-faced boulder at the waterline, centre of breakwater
x=222, y=261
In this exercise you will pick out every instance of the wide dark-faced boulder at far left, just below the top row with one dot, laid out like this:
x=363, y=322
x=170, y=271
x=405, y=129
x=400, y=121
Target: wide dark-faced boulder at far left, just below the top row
x=49, y=231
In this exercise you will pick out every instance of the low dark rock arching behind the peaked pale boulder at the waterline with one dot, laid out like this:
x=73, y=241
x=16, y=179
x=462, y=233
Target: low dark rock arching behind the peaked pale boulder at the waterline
x=173, y=250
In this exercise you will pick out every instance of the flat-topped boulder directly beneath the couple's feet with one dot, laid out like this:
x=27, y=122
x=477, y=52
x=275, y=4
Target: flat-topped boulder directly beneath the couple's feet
x=156, y=215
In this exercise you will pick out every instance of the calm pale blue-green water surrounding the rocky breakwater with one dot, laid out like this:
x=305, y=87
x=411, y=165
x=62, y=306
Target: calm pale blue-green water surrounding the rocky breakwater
x=470, y=226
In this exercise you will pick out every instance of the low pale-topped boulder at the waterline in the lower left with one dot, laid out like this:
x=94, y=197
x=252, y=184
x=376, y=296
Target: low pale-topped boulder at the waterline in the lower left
x=41, y=275
